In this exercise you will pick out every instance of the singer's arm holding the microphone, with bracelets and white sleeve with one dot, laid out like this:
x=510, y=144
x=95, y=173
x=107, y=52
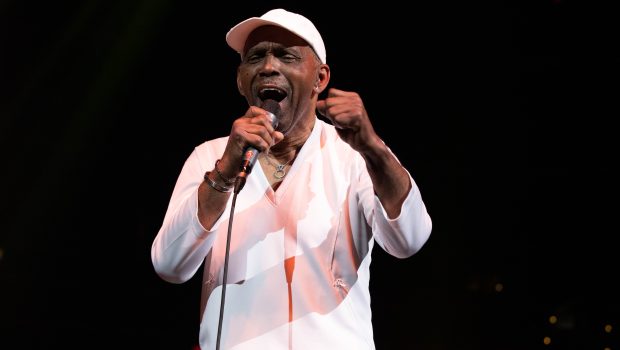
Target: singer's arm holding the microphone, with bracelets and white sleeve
x=195, y=208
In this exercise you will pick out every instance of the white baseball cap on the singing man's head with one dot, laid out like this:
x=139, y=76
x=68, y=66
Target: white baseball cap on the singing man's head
x=293, y=22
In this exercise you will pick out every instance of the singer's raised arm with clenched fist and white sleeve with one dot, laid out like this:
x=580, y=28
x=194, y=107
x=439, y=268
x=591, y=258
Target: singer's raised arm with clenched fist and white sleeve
x=391, y=199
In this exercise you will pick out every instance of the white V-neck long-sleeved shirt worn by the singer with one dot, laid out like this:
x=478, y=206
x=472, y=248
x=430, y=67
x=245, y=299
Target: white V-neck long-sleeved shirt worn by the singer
x=299, y=260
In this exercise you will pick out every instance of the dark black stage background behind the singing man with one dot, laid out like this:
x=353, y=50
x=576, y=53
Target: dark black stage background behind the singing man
x=502, y=111
